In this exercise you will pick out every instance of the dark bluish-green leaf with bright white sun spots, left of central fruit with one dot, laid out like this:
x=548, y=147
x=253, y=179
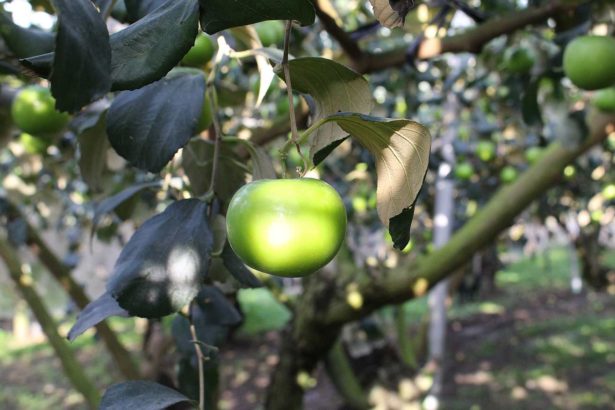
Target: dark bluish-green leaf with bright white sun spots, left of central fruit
x=163, y=265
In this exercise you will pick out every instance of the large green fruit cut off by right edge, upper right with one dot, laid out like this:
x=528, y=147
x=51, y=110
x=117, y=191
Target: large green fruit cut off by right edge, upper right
x=588, y=62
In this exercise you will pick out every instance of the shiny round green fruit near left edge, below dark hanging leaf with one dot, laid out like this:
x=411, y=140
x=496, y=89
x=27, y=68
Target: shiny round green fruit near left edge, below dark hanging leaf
x=33, y=111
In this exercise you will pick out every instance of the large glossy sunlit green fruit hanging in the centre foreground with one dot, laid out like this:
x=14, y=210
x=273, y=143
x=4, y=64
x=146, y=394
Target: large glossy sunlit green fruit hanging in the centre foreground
x=286, y=227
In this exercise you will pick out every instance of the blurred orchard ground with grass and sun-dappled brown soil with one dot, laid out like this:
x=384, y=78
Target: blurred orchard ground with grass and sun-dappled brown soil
x=530, y=345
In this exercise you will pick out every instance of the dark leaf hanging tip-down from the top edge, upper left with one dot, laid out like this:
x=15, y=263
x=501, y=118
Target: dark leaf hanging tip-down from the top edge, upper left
x=82, y=61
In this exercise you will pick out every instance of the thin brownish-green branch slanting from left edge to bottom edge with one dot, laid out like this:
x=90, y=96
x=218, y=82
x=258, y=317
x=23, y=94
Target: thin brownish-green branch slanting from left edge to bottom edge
x=72, y=368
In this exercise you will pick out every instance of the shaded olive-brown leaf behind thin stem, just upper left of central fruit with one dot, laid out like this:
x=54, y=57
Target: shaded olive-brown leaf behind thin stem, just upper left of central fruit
x=197, y=161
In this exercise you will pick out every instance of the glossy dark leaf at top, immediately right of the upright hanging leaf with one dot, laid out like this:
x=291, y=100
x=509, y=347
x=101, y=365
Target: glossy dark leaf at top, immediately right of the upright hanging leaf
x=148, y=49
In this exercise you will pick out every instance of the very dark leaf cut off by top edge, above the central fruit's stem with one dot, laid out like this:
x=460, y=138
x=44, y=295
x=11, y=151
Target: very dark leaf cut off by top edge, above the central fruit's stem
x=217, y=15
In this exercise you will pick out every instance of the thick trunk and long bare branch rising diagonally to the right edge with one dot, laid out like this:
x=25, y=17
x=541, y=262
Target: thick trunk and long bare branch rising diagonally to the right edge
x=323, y=310
